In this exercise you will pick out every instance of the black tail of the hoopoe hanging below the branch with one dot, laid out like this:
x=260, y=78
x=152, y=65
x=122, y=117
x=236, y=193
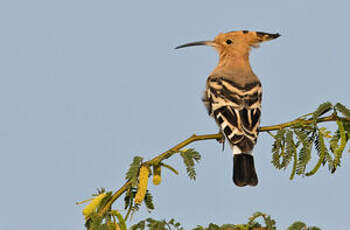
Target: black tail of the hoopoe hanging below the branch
x=244, y=170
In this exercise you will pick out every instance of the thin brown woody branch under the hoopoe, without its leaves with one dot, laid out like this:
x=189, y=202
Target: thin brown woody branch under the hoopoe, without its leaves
x=156, y=160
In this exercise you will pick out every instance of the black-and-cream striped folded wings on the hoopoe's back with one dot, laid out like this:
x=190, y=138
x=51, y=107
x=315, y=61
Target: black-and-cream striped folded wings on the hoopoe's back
x=236, y=109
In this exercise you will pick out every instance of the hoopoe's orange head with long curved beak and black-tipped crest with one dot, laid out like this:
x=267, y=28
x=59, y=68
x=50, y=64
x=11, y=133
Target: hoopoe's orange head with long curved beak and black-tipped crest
x=235, y=43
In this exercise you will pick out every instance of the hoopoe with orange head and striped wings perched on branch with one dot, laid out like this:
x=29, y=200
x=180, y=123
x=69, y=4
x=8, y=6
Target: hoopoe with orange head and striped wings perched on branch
x=233, y=97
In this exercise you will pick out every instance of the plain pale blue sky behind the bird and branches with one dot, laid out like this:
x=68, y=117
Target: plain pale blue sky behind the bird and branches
x=86, y=85
